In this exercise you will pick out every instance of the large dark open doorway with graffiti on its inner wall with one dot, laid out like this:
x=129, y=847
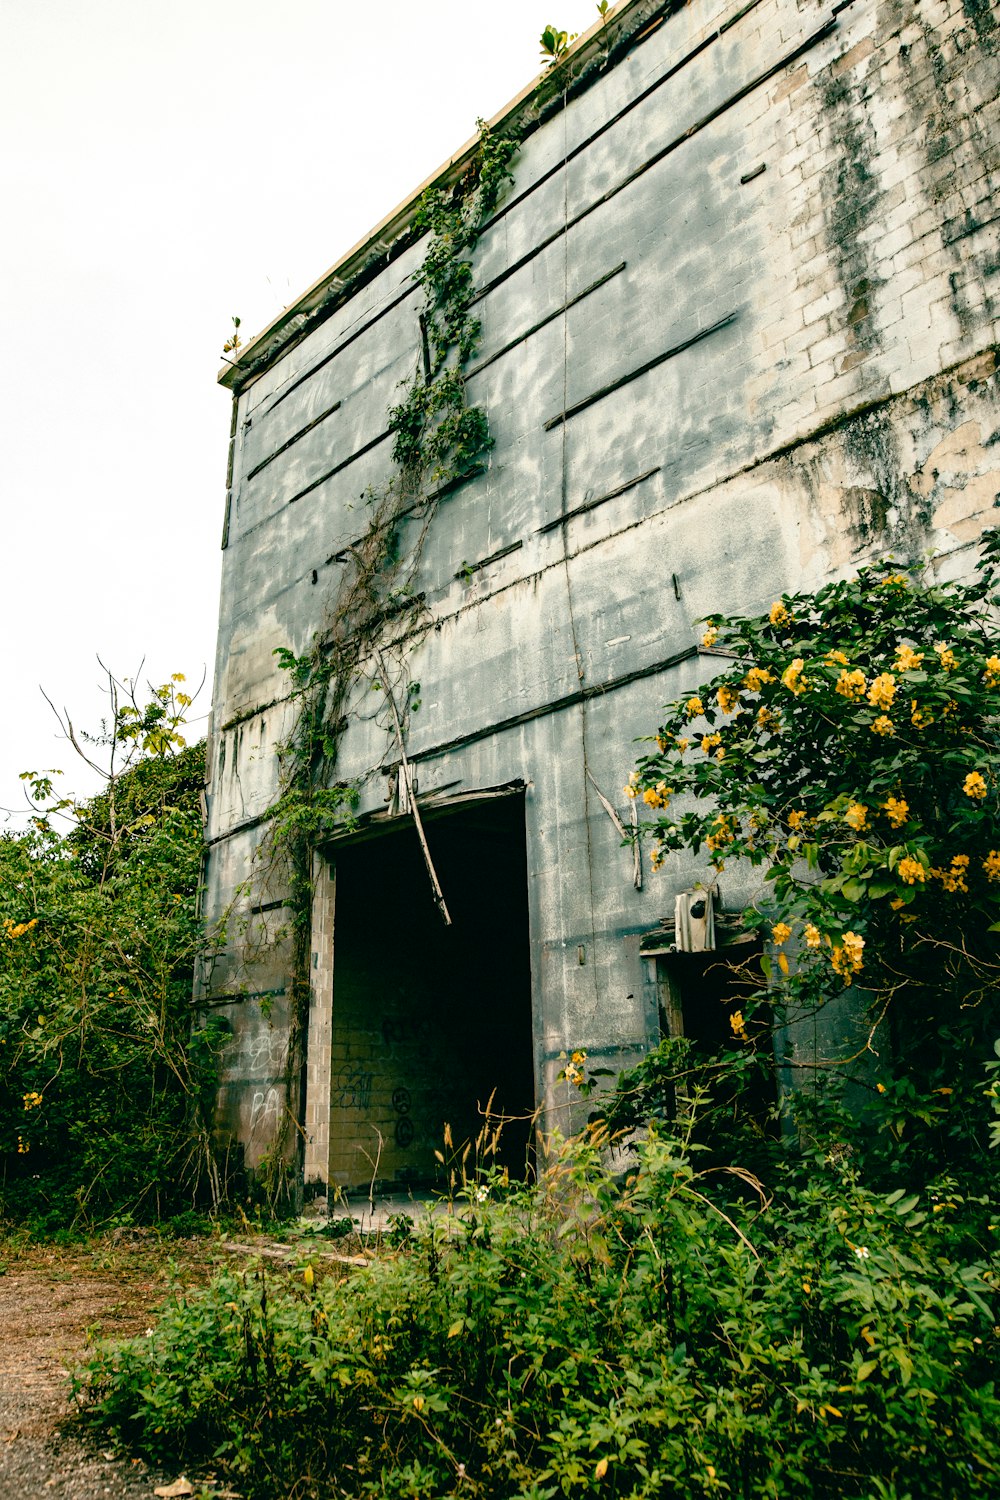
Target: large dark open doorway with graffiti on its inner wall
x=431, y=1022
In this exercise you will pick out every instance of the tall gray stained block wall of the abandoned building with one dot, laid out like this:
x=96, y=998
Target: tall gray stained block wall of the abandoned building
x=740, y=319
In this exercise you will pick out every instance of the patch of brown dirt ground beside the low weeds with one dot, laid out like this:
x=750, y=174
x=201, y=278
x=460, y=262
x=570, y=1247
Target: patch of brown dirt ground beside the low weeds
x=52, y=1303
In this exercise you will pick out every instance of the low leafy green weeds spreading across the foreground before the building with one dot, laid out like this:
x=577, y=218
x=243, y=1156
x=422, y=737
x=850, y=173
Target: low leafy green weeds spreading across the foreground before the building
x=668, y=1337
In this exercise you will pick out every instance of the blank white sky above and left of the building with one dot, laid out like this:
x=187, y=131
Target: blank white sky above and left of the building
x=167, y=167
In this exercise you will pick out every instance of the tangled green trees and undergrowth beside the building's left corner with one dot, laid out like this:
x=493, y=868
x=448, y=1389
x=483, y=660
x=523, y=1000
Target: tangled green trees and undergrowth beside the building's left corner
x=103, y=1085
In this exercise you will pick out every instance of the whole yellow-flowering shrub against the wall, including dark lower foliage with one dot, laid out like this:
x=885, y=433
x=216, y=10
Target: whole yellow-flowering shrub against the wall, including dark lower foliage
x=852, y=748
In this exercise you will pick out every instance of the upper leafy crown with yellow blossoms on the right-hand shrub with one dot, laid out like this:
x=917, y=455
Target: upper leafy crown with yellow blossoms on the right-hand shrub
x=852, y=749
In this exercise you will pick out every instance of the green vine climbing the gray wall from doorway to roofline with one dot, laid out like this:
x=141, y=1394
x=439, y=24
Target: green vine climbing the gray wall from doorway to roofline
x=439, y=439
